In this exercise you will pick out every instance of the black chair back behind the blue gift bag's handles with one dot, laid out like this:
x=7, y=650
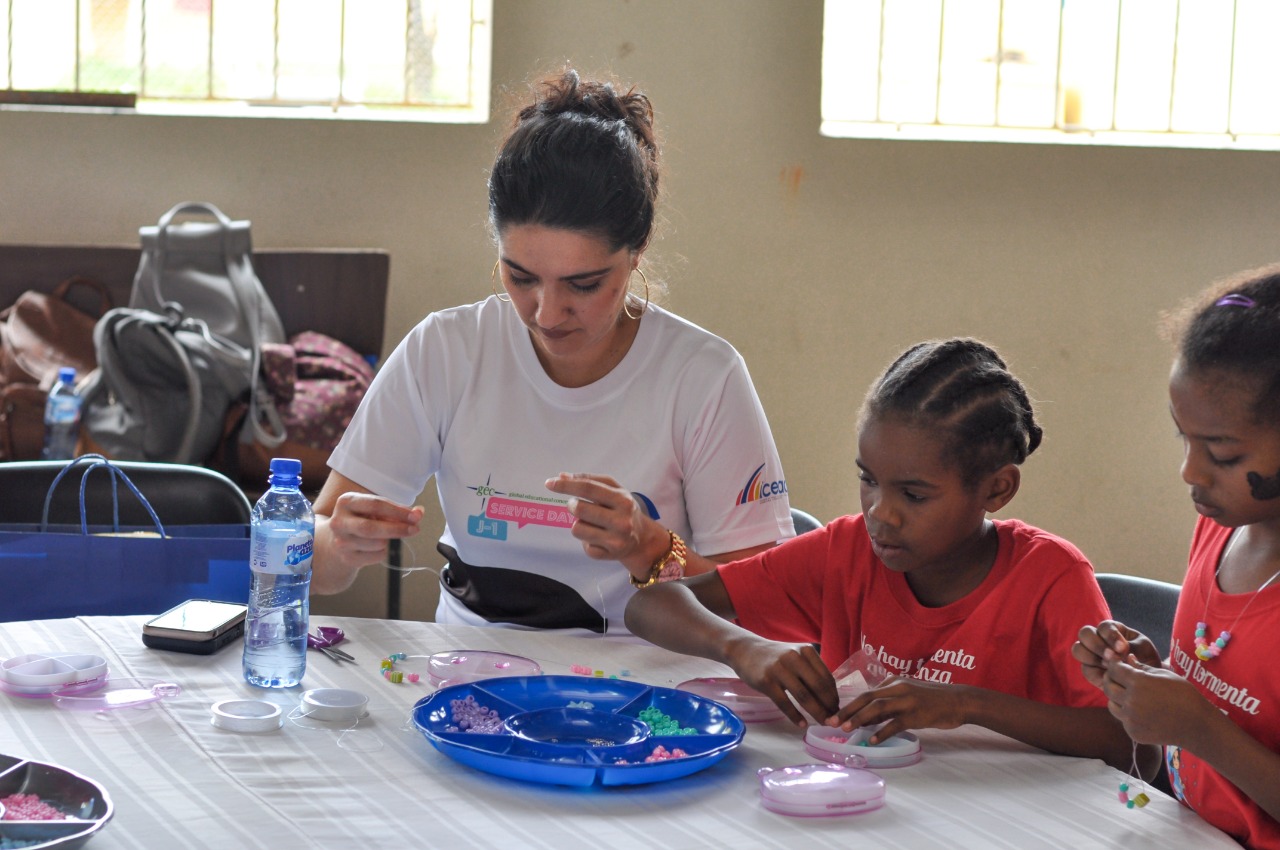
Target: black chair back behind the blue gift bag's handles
x=180, y=495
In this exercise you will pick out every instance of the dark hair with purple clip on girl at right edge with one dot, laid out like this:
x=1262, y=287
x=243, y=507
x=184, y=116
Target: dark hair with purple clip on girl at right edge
x=1233, y=330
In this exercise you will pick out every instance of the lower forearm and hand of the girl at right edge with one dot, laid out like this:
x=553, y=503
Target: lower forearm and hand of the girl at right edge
x=1162, y=707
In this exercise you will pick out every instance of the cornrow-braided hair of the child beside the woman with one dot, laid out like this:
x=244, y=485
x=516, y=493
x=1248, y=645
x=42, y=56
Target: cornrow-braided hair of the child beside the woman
x=963, y=390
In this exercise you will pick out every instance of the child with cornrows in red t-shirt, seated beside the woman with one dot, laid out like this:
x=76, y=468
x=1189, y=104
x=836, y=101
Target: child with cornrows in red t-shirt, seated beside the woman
x=973, y=618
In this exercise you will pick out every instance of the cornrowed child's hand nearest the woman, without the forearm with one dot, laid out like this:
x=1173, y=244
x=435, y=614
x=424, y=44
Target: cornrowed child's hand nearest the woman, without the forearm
x=778, y=670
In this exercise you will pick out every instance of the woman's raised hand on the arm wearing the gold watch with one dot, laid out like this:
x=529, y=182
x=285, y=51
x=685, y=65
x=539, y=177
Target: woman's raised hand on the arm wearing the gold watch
x=610, y=522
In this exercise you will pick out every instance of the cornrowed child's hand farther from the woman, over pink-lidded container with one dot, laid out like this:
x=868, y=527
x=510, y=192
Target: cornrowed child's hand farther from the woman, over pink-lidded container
x=903, y=705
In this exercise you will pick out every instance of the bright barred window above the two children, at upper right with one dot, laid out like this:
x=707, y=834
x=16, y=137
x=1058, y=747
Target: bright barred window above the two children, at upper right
x=1119, y=72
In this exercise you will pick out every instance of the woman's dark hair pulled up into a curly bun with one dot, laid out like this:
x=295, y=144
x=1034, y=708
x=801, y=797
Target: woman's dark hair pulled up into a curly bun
x=582, y=157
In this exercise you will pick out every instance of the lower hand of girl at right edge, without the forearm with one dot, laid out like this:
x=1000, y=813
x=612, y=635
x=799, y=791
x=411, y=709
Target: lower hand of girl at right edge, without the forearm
x=1155, y=705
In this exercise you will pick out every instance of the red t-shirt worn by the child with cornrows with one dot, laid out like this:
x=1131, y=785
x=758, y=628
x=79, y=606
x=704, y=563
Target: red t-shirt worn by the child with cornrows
x=1012, y=634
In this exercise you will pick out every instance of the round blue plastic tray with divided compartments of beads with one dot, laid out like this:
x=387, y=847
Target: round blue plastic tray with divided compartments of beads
x=575, y=730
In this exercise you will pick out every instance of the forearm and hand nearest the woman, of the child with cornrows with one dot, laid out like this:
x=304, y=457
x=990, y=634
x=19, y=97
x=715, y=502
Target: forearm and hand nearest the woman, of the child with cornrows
x=694, y=618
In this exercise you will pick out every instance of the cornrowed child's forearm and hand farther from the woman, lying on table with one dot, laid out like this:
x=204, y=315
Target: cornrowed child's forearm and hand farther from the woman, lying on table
x=908, y=703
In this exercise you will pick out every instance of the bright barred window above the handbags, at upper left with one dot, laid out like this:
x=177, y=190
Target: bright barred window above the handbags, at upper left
x=381, y=60
